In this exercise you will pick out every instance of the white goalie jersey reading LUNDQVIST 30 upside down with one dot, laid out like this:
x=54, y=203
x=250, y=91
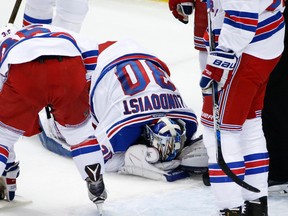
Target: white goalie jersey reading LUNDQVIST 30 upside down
x=129, y=89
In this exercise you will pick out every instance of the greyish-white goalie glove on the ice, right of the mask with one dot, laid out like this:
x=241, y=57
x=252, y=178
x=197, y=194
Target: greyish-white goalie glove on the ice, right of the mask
x=194, y=157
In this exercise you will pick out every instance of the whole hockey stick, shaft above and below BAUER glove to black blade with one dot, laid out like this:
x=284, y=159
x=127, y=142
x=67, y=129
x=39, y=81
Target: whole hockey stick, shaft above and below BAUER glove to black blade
x=220, y=159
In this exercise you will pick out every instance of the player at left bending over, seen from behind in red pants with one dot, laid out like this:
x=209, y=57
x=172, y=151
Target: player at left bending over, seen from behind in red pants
x=41, y=66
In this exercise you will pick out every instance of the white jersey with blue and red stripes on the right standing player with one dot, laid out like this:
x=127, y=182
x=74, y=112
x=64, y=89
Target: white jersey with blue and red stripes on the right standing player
x=254, y=27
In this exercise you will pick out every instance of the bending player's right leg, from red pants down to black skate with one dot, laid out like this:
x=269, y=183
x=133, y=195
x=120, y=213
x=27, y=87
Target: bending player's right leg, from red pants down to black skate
x=71, y=110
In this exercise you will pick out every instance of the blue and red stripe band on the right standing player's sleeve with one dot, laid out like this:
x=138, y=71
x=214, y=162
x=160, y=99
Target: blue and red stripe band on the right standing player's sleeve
x=242, y=20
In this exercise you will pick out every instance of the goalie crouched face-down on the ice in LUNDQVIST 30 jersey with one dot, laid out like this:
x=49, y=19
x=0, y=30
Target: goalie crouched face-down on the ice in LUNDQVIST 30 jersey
x=147, y=131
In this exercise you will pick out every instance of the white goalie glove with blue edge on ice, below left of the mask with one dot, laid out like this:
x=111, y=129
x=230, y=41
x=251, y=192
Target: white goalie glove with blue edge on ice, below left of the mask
x=141, y=160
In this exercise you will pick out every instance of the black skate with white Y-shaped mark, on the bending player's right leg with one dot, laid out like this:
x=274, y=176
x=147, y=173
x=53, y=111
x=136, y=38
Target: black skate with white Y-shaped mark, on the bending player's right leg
x=96, y=188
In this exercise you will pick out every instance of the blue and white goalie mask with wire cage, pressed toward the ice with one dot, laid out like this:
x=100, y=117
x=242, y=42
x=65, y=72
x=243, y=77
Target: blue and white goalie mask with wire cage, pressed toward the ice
x=167, y=136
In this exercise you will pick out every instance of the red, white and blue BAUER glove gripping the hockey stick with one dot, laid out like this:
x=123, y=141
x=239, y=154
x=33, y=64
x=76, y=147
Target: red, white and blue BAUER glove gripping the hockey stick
x=219, y=68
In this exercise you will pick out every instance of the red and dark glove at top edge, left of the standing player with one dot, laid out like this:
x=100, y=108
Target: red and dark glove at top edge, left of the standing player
x=181, y=9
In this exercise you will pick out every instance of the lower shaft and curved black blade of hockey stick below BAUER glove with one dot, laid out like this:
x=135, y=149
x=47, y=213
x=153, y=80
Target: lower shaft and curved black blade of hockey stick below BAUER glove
x=220, y=159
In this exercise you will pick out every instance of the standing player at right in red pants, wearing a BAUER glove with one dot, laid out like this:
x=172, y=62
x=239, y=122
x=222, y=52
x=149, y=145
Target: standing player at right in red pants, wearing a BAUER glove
x=248, y=44
